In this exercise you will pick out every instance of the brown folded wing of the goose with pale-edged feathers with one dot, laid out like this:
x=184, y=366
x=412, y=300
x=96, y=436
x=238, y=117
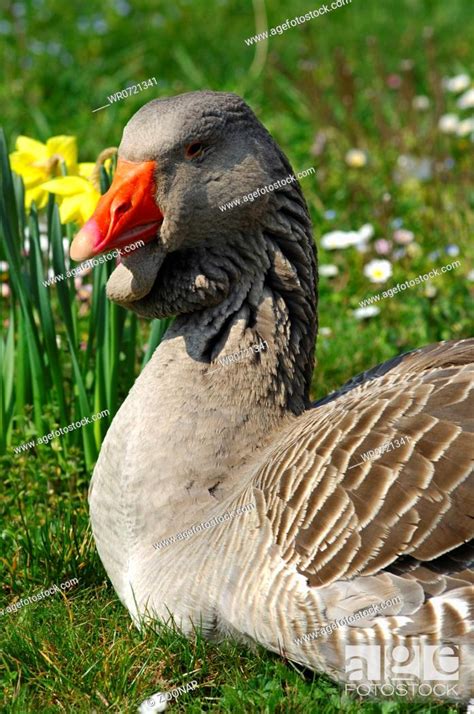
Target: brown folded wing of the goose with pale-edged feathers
x=342, y=504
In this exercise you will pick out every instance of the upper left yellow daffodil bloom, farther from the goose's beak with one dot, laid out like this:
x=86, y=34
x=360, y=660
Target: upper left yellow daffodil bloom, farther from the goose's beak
x=36, y=162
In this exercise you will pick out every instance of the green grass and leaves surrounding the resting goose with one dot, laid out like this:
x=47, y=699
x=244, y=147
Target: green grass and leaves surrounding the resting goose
x=336, y=83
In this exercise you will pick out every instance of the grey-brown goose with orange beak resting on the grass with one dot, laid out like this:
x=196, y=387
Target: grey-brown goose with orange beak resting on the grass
x=222, y=496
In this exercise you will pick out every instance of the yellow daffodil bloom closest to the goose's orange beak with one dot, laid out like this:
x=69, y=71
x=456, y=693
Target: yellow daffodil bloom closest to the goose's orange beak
x=77, y=195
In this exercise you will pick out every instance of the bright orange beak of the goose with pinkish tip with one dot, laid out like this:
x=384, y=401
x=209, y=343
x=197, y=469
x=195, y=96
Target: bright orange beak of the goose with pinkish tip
x=125, y=214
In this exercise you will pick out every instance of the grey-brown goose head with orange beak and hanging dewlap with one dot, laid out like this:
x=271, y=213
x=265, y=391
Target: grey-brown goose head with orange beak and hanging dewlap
x=180, y=160
